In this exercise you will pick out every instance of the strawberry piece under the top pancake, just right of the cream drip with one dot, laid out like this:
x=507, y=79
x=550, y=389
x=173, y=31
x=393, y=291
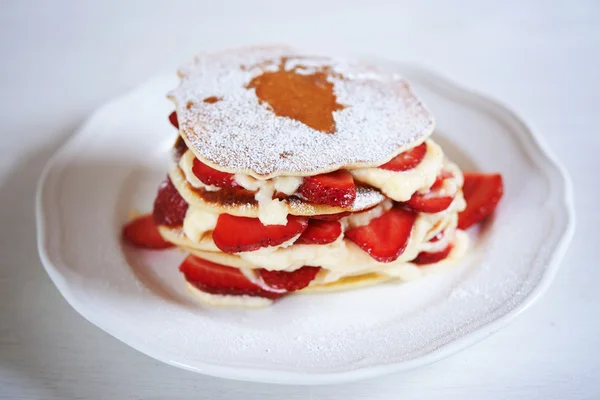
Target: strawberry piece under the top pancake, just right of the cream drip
x=335, y=188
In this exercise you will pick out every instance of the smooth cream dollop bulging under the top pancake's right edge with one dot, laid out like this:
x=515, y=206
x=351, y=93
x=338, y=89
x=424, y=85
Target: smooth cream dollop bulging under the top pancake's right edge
x=401, y=185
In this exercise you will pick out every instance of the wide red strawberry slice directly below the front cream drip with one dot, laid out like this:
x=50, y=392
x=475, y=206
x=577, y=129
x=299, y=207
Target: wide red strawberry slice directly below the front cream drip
x=236, y=234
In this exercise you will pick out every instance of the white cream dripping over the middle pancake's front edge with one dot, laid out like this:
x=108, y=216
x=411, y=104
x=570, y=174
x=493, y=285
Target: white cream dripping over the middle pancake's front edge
x=270, y=211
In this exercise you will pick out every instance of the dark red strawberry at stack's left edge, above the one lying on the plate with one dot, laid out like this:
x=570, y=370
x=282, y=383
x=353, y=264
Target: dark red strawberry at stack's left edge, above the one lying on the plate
x=169, y=206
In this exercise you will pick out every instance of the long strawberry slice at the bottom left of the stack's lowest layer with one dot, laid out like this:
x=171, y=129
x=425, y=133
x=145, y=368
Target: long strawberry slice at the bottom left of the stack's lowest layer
x=220, y=279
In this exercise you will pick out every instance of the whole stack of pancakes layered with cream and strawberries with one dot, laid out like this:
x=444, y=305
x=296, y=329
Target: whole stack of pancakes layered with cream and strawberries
x=330, y=160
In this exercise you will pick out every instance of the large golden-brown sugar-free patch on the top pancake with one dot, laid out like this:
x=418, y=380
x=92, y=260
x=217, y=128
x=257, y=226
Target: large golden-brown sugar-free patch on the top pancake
x=307, y=98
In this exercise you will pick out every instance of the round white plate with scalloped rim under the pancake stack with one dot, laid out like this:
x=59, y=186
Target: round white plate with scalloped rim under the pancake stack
x=114, y=163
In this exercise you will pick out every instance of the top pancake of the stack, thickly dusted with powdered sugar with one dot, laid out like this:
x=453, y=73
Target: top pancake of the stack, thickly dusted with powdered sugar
x=271, y=111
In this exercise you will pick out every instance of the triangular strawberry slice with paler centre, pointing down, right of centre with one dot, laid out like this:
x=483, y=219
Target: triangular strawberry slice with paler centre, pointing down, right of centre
x=385, y=238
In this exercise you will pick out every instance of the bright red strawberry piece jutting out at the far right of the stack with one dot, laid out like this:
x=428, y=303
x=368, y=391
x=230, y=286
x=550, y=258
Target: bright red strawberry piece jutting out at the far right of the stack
x=482, y=193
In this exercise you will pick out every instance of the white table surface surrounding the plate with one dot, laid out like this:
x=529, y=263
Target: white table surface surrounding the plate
x=61, y=60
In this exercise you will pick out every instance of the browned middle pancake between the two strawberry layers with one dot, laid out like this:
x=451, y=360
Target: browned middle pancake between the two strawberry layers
x=241, y=203
